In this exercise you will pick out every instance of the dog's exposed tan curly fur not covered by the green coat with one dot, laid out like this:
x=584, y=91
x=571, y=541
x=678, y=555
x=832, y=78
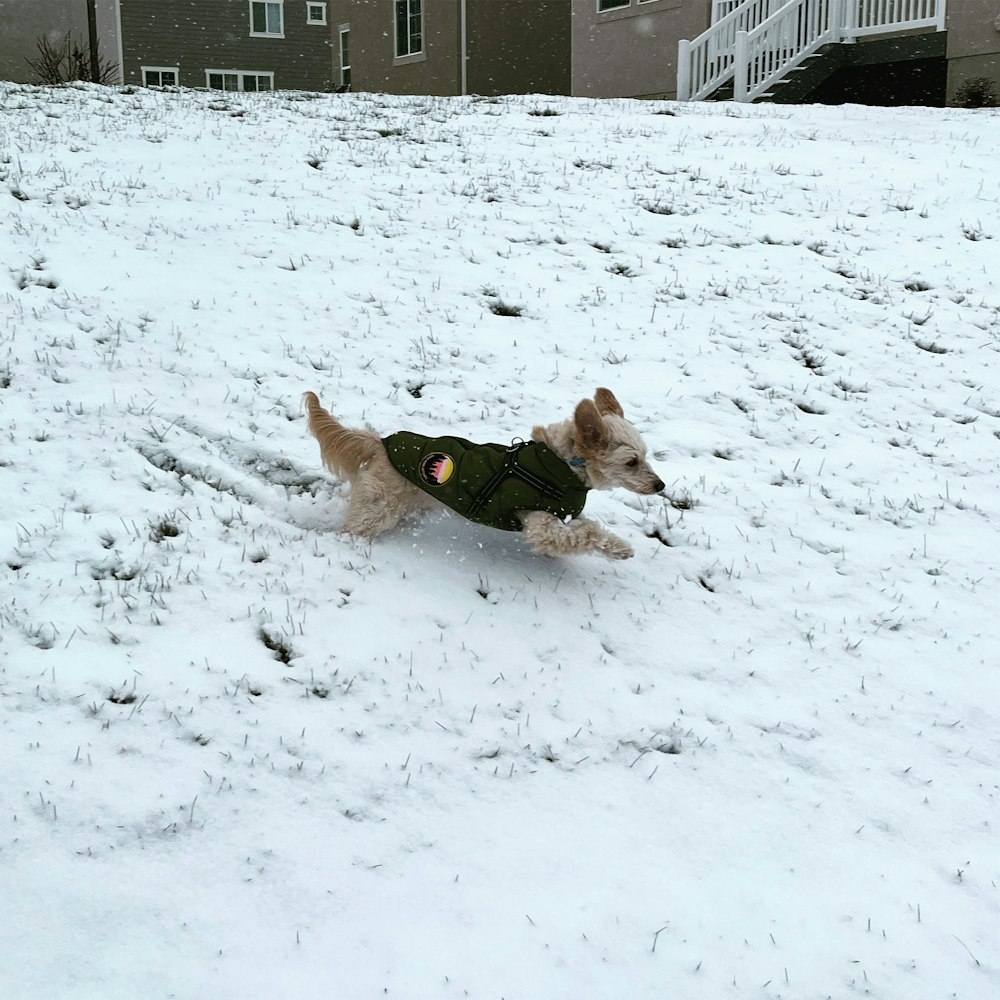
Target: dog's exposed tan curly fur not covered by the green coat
x=613, y=451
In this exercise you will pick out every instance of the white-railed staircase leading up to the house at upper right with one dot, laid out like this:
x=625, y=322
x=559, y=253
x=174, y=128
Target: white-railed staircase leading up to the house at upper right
x=754, y=46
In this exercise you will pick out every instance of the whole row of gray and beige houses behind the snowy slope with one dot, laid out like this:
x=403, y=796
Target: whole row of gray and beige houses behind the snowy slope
x=867, y=51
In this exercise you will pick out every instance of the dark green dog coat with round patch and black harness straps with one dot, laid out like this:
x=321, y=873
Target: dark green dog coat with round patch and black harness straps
x=488, y=483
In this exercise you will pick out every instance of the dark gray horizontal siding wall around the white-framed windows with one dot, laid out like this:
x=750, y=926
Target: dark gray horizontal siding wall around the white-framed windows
x=196, y=35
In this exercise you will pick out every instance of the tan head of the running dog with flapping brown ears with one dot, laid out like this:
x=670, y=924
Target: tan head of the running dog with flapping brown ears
x=613, y=449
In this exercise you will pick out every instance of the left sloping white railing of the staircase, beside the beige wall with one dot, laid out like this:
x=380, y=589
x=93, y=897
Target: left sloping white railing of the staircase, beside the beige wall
x=706, y=64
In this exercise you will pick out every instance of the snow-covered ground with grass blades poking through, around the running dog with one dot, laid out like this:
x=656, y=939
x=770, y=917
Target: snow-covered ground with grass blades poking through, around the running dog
x=247, y=756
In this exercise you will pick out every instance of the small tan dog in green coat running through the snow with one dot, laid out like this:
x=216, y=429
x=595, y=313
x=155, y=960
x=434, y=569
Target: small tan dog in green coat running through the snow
x=537, y=487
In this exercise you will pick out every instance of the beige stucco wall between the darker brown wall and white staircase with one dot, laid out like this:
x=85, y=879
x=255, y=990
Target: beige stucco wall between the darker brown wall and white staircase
x=632, y=51
